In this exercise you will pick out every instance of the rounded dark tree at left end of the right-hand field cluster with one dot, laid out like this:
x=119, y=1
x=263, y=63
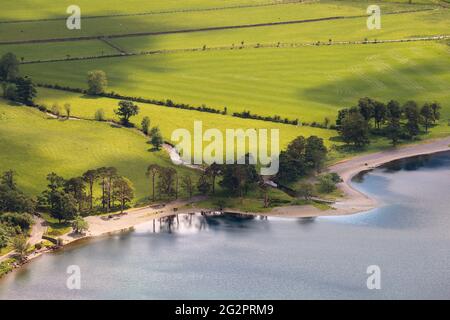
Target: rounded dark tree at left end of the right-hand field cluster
x=355, y=129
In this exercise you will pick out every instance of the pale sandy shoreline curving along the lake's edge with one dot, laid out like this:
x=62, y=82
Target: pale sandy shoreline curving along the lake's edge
x=353, y=201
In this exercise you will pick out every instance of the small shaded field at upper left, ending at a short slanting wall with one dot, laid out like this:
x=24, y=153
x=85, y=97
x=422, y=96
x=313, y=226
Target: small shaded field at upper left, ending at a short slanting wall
x=59, y=50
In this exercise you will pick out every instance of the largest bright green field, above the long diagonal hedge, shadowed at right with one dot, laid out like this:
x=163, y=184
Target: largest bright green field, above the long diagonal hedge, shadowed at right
x=309, y=83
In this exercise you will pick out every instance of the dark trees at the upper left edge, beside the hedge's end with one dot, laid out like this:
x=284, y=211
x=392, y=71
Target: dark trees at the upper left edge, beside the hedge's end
x=15, y=87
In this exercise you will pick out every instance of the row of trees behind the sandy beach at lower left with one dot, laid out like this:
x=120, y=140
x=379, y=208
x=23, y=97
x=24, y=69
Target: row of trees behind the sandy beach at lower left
x=66, y=199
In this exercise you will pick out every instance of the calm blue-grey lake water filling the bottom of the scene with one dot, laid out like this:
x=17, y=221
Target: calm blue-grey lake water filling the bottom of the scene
x=229, y=257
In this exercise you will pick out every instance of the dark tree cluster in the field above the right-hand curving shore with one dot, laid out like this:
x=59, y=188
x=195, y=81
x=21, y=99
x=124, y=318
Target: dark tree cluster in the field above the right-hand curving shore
x=392, y=120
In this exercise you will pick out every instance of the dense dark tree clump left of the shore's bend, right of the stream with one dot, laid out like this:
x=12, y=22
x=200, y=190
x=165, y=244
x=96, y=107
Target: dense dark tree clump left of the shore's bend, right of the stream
x=302, y=156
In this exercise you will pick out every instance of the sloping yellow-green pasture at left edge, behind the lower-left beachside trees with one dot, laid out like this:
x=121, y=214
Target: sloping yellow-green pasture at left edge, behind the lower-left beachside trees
x=33, y=145
